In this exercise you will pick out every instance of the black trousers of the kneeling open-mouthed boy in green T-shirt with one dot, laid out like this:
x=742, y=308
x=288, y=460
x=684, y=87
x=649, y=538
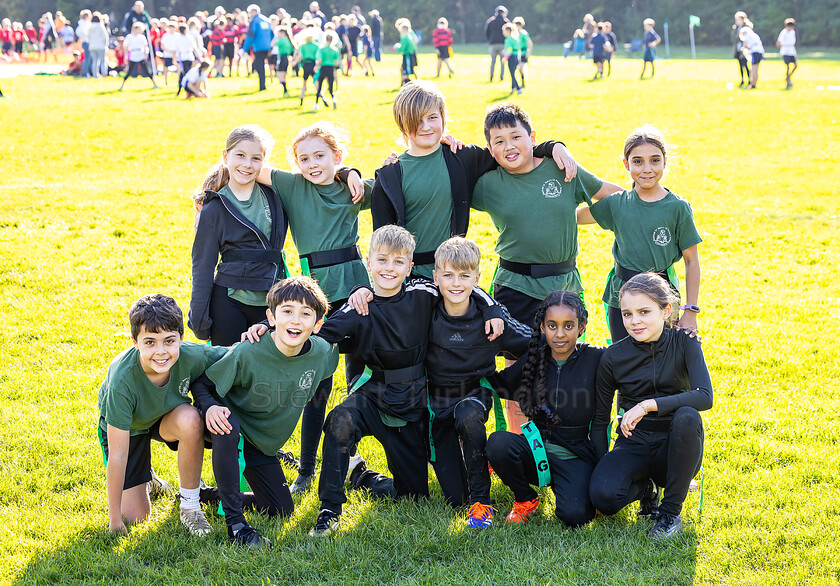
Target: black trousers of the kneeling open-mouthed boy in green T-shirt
x=264, y=475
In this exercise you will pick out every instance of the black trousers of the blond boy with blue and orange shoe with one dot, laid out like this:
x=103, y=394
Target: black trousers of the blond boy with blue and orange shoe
x=460, y=453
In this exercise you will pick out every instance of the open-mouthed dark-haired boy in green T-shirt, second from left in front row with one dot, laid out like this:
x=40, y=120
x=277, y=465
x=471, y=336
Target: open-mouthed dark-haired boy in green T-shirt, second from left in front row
x=258, y=391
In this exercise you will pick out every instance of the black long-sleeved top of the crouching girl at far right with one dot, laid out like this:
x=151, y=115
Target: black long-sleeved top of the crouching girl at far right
x=671, y=370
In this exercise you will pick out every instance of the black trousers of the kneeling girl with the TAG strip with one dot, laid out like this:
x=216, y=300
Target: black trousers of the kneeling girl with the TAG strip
x=513, y=461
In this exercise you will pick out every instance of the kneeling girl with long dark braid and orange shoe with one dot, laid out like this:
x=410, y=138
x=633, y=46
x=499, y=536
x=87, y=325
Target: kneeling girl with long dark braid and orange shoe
x=555, y=386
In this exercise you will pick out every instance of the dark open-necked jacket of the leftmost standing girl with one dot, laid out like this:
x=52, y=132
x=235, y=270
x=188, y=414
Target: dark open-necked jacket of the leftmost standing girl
x=223, y=229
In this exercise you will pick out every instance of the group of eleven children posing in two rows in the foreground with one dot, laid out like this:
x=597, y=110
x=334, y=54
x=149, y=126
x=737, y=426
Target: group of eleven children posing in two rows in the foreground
x=419, y=336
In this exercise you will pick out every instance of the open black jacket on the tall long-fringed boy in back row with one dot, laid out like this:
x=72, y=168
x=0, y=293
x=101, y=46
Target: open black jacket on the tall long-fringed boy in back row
x=387, y=204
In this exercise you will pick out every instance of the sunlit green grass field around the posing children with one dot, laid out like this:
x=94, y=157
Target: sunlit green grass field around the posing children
x=96, y=187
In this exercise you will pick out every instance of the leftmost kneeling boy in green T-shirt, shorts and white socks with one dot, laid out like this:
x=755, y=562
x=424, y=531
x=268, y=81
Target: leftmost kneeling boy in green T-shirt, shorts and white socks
x=145, y=396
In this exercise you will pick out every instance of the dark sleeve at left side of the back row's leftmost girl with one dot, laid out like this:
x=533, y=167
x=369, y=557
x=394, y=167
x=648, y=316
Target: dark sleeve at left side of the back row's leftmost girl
x=205, y=256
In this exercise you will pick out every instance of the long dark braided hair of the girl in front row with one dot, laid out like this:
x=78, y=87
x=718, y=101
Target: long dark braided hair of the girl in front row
x=534, y=369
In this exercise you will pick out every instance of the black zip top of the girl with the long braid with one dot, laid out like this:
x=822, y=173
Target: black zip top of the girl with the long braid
x=571, y=394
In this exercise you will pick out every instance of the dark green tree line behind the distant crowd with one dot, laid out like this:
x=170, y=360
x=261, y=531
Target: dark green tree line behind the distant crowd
x=548, y=21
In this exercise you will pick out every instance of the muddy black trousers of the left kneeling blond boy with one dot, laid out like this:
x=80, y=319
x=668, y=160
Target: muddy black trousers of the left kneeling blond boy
x=405, y=450
